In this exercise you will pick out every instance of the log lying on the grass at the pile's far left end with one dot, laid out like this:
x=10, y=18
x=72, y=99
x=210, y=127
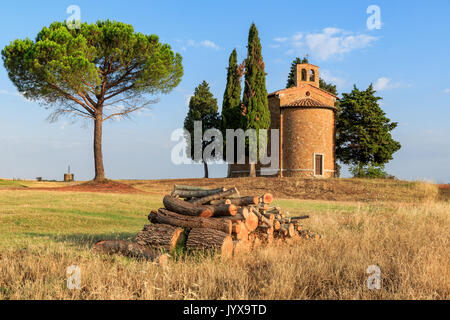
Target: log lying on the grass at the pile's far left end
x=130, y=249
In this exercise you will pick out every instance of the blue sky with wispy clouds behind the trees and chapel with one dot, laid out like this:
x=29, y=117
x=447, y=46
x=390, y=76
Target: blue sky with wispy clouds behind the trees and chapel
x=407, y=60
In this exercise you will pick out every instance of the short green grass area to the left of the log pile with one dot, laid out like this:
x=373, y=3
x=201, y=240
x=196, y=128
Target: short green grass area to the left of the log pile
x=68, y=216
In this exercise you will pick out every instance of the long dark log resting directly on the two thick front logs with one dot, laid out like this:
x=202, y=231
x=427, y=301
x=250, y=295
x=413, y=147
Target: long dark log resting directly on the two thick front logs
x=174, y=219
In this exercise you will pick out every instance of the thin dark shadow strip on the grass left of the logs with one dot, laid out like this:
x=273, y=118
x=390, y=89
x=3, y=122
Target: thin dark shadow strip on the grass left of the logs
x=83, y=240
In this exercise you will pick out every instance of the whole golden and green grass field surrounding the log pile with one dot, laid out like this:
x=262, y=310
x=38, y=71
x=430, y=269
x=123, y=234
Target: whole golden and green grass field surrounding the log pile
x=402, y=227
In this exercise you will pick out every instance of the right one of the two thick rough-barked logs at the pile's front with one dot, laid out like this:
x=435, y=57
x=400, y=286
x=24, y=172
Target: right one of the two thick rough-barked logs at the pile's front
x=210, y=239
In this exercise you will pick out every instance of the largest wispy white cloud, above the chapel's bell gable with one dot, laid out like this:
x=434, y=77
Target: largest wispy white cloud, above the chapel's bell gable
x=330, y=42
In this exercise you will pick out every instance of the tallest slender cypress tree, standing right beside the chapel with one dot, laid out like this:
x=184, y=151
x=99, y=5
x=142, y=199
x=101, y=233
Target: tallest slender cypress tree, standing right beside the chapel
x=256, y=113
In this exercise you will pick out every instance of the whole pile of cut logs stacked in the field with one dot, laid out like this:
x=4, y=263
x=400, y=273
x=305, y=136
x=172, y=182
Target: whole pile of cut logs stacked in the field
x=197, y=218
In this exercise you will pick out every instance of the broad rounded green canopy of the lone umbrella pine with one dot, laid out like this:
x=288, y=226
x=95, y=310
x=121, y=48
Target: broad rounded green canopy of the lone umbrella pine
x=84, y=71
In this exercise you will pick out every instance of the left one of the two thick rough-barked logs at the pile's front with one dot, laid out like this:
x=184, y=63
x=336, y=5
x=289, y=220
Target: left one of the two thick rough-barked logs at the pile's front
x=162, y=236
